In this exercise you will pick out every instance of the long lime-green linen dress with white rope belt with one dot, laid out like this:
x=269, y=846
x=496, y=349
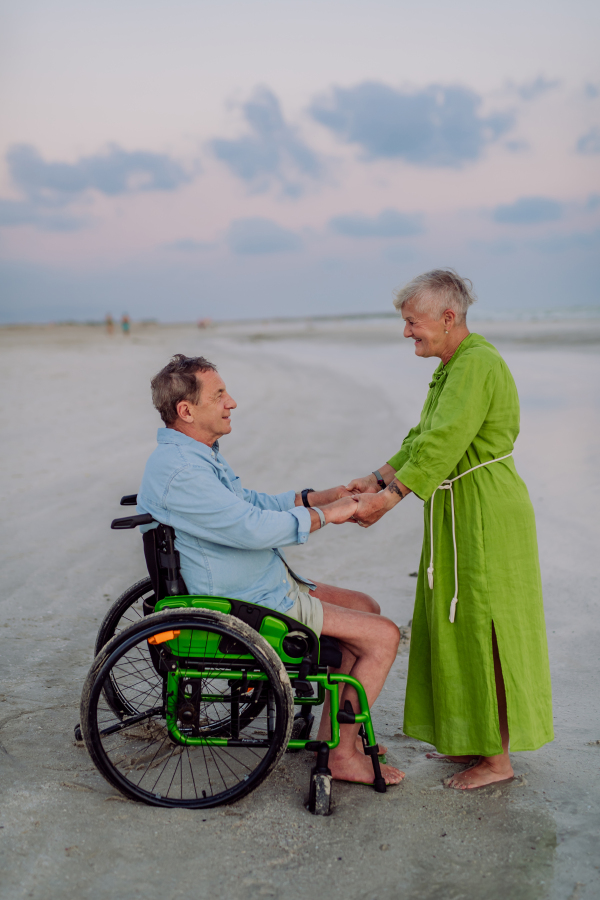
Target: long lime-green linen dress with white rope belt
x=471, y=415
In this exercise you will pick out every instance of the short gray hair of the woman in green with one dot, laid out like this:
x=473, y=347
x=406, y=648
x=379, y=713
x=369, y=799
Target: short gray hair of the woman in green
x=438, y=290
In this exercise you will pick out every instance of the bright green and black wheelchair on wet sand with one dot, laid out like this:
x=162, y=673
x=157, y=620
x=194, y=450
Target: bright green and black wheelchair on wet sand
x=190, y=701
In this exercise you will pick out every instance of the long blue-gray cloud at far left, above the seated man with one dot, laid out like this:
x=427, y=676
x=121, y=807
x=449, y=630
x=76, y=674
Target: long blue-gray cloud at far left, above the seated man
x=112, y=173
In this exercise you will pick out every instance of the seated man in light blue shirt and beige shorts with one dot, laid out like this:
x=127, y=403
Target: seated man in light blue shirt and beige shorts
x=229, y=539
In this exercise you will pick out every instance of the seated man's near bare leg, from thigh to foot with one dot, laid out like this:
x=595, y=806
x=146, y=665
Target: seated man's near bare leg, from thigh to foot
x=373, y=642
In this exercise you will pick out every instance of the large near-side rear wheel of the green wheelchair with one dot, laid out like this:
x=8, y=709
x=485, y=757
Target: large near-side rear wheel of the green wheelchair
x=137, y=755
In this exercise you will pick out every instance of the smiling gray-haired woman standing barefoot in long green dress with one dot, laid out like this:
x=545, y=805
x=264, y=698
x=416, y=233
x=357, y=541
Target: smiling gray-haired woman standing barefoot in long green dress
x=478, y=669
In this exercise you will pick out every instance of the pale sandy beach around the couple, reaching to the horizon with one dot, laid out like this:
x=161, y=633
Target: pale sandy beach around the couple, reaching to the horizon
x=319, y=402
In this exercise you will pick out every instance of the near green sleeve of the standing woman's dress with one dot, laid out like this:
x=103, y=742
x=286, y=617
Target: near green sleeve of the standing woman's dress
x=461, y=410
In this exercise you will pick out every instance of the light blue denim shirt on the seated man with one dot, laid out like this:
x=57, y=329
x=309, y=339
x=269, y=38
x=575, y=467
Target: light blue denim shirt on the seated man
x=227, y=537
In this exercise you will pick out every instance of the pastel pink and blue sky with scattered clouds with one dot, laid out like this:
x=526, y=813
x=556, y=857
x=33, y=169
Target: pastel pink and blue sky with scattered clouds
x=245, y=158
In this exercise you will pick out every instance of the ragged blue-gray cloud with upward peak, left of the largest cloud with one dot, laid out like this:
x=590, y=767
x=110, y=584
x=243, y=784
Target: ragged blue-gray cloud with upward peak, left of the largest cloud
x=272, y=153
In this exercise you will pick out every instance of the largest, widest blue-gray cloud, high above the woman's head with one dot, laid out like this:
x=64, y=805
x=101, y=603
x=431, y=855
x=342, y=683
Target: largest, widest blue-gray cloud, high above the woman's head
x=436, y=126
